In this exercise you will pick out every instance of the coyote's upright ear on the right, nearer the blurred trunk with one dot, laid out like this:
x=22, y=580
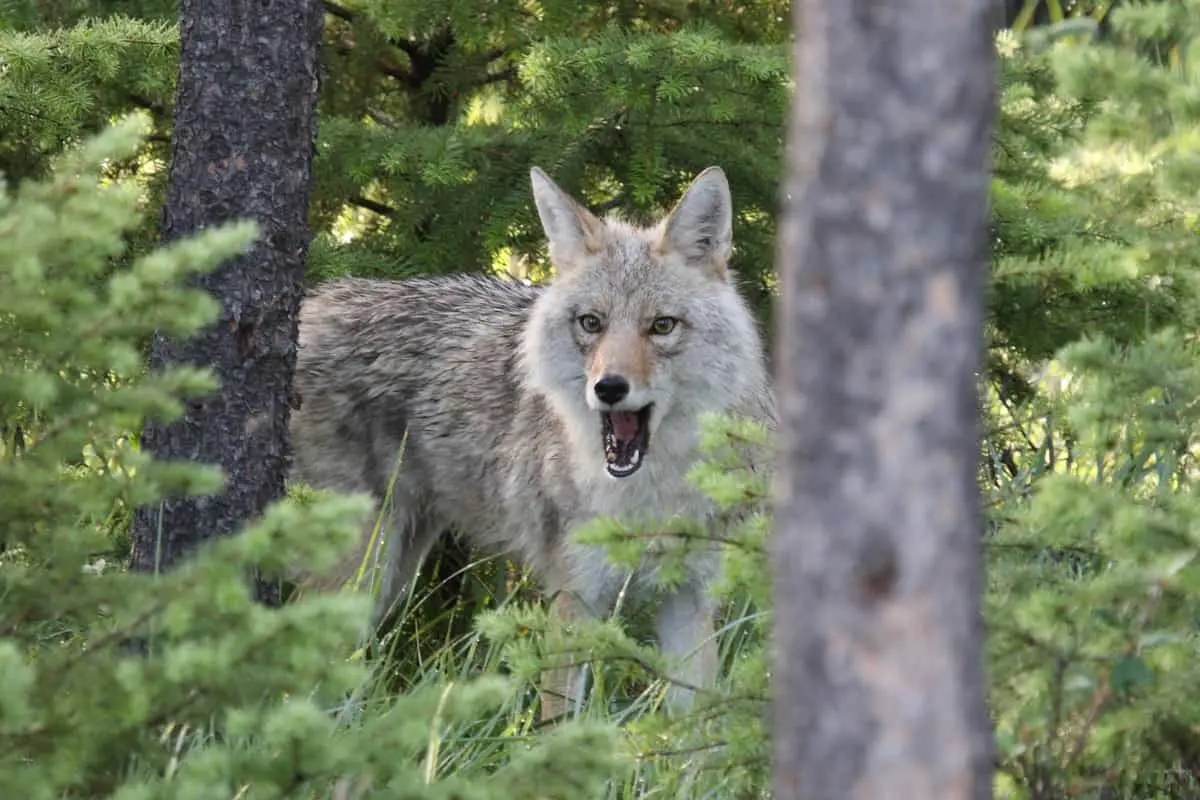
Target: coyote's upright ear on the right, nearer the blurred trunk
x=701, y=226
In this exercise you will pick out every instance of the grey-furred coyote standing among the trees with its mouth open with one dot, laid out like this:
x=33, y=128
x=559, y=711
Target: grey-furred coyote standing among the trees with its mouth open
x=524, y=412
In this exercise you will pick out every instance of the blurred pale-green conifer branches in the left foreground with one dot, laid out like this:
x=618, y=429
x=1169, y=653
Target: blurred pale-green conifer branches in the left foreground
x=230, y=699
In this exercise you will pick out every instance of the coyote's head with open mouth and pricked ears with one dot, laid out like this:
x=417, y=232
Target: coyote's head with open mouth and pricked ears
x=643, y=329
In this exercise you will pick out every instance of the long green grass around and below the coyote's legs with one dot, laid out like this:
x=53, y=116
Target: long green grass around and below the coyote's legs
x=434, y=643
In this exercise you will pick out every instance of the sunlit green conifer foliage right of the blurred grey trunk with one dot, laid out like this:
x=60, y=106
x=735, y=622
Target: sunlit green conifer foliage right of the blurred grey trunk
x=1094, y=579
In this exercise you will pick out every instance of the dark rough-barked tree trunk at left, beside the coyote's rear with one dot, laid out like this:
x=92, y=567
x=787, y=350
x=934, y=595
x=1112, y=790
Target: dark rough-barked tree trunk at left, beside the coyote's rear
x=243, y=148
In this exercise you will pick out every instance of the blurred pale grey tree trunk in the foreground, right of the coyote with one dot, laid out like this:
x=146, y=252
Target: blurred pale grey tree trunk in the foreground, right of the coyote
x=878, y=552
